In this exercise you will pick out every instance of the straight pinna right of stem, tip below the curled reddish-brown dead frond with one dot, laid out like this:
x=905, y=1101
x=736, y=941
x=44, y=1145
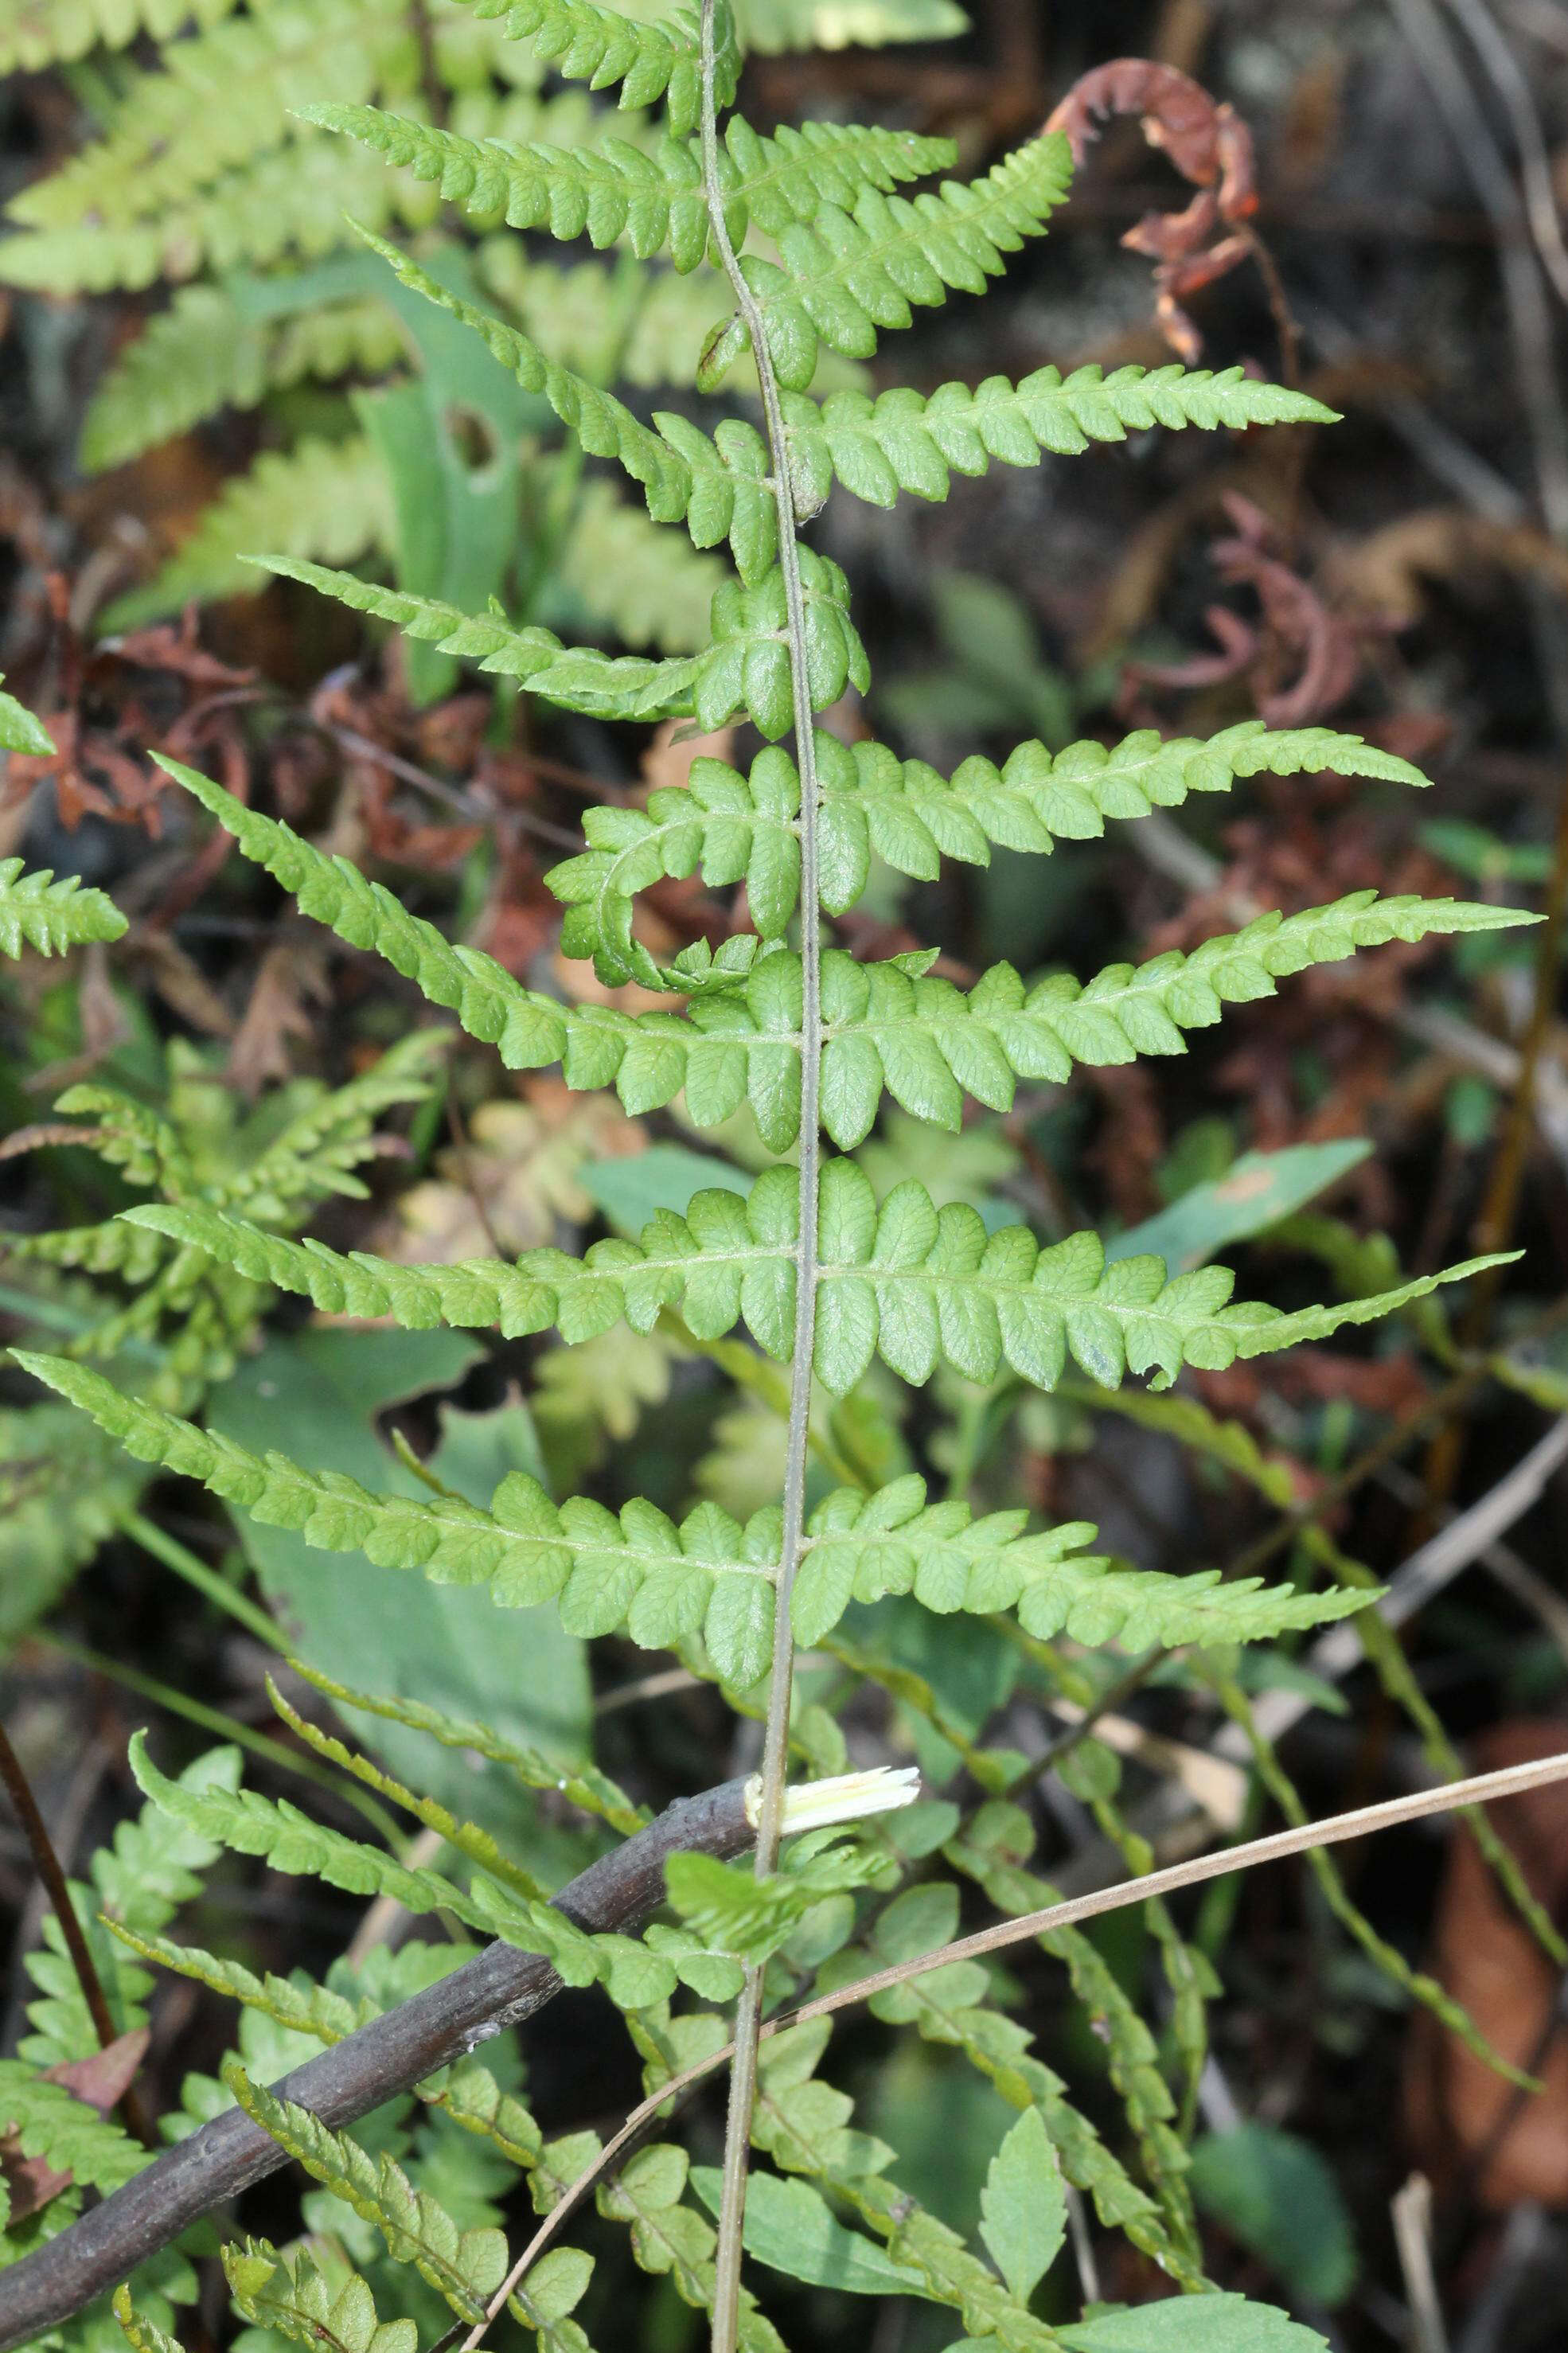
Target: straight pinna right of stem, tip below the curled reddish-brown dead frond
x=910, y=441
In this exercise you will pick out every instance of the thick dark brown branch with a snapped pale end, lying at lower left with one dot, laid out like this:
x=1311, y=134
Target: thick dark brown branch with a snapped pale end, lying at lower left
x=401, y=2048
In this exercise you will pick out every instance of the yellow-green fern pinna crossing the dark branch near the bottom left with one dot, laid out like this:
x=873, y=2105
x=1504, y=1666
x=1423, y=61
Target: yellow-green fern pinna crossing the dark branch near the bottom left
x=463, y=2267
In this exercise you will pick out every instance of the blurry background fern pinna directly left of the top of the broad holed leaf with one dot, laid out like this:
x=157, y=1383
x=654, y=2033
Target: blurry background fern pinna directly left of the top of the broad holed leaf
x=208, y=354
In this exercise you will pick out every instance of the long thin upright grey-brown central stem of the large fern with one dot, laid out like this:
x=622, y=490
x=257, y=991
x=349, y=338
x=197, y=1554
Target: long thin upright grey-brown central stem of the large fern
x=776, y=1742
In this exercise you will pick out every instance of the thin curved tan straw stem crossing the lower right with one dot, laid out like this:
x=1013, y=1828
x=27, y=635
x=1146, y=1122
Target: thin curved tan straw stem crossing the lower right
x=1482, y=1789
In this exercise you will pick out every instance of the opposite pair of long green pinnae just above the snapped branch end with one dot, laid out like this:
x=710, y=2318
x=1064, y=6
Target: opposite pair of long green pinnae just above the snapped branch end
x=707, y=1575
